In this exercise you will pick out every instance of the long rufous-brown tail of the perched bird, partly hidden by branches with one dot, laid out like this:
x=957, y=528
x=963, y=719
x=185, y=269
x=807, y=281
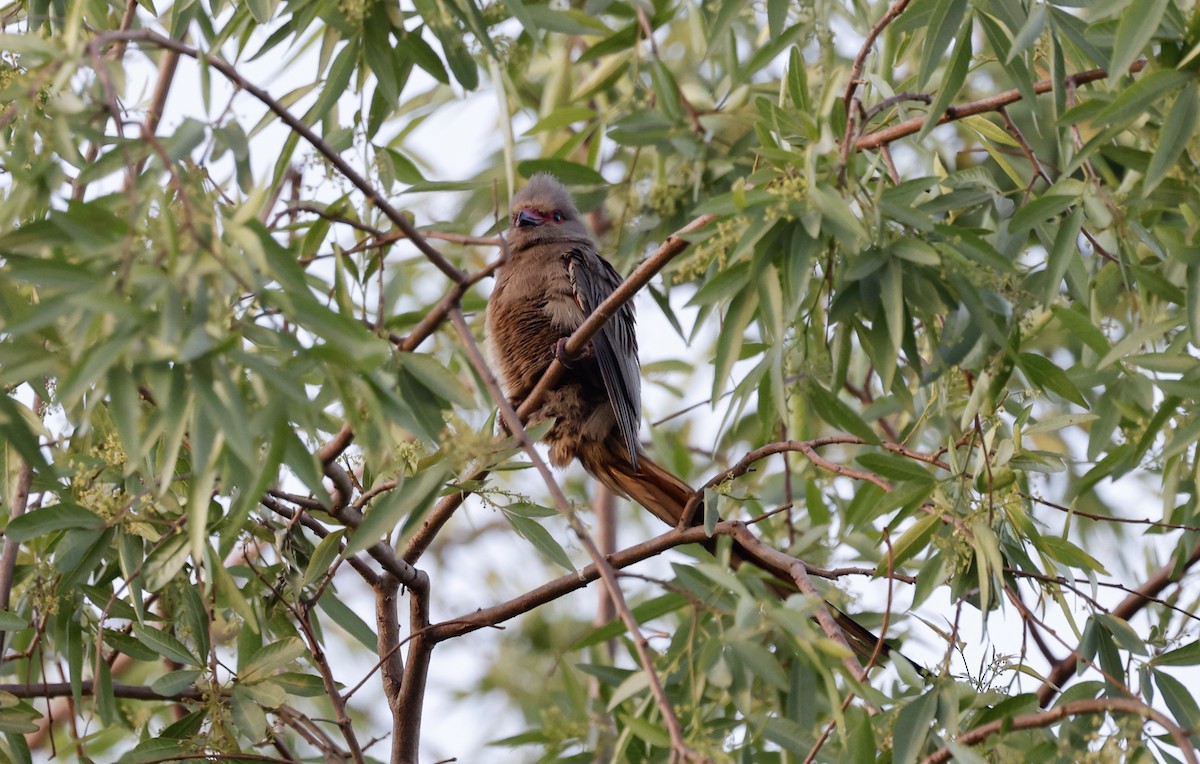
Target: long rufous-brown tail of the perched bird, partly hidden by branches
x=667, y=497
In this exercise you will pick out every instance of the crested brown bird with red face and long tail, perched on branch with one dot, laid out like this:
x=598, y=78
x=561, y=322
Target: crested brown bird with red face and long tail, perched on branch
x=551, y=280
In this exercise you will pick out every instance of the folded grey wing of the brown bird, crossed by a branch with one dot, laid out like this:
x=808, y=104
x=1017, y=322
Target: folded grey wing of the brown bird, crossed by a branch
x=616, y=345
